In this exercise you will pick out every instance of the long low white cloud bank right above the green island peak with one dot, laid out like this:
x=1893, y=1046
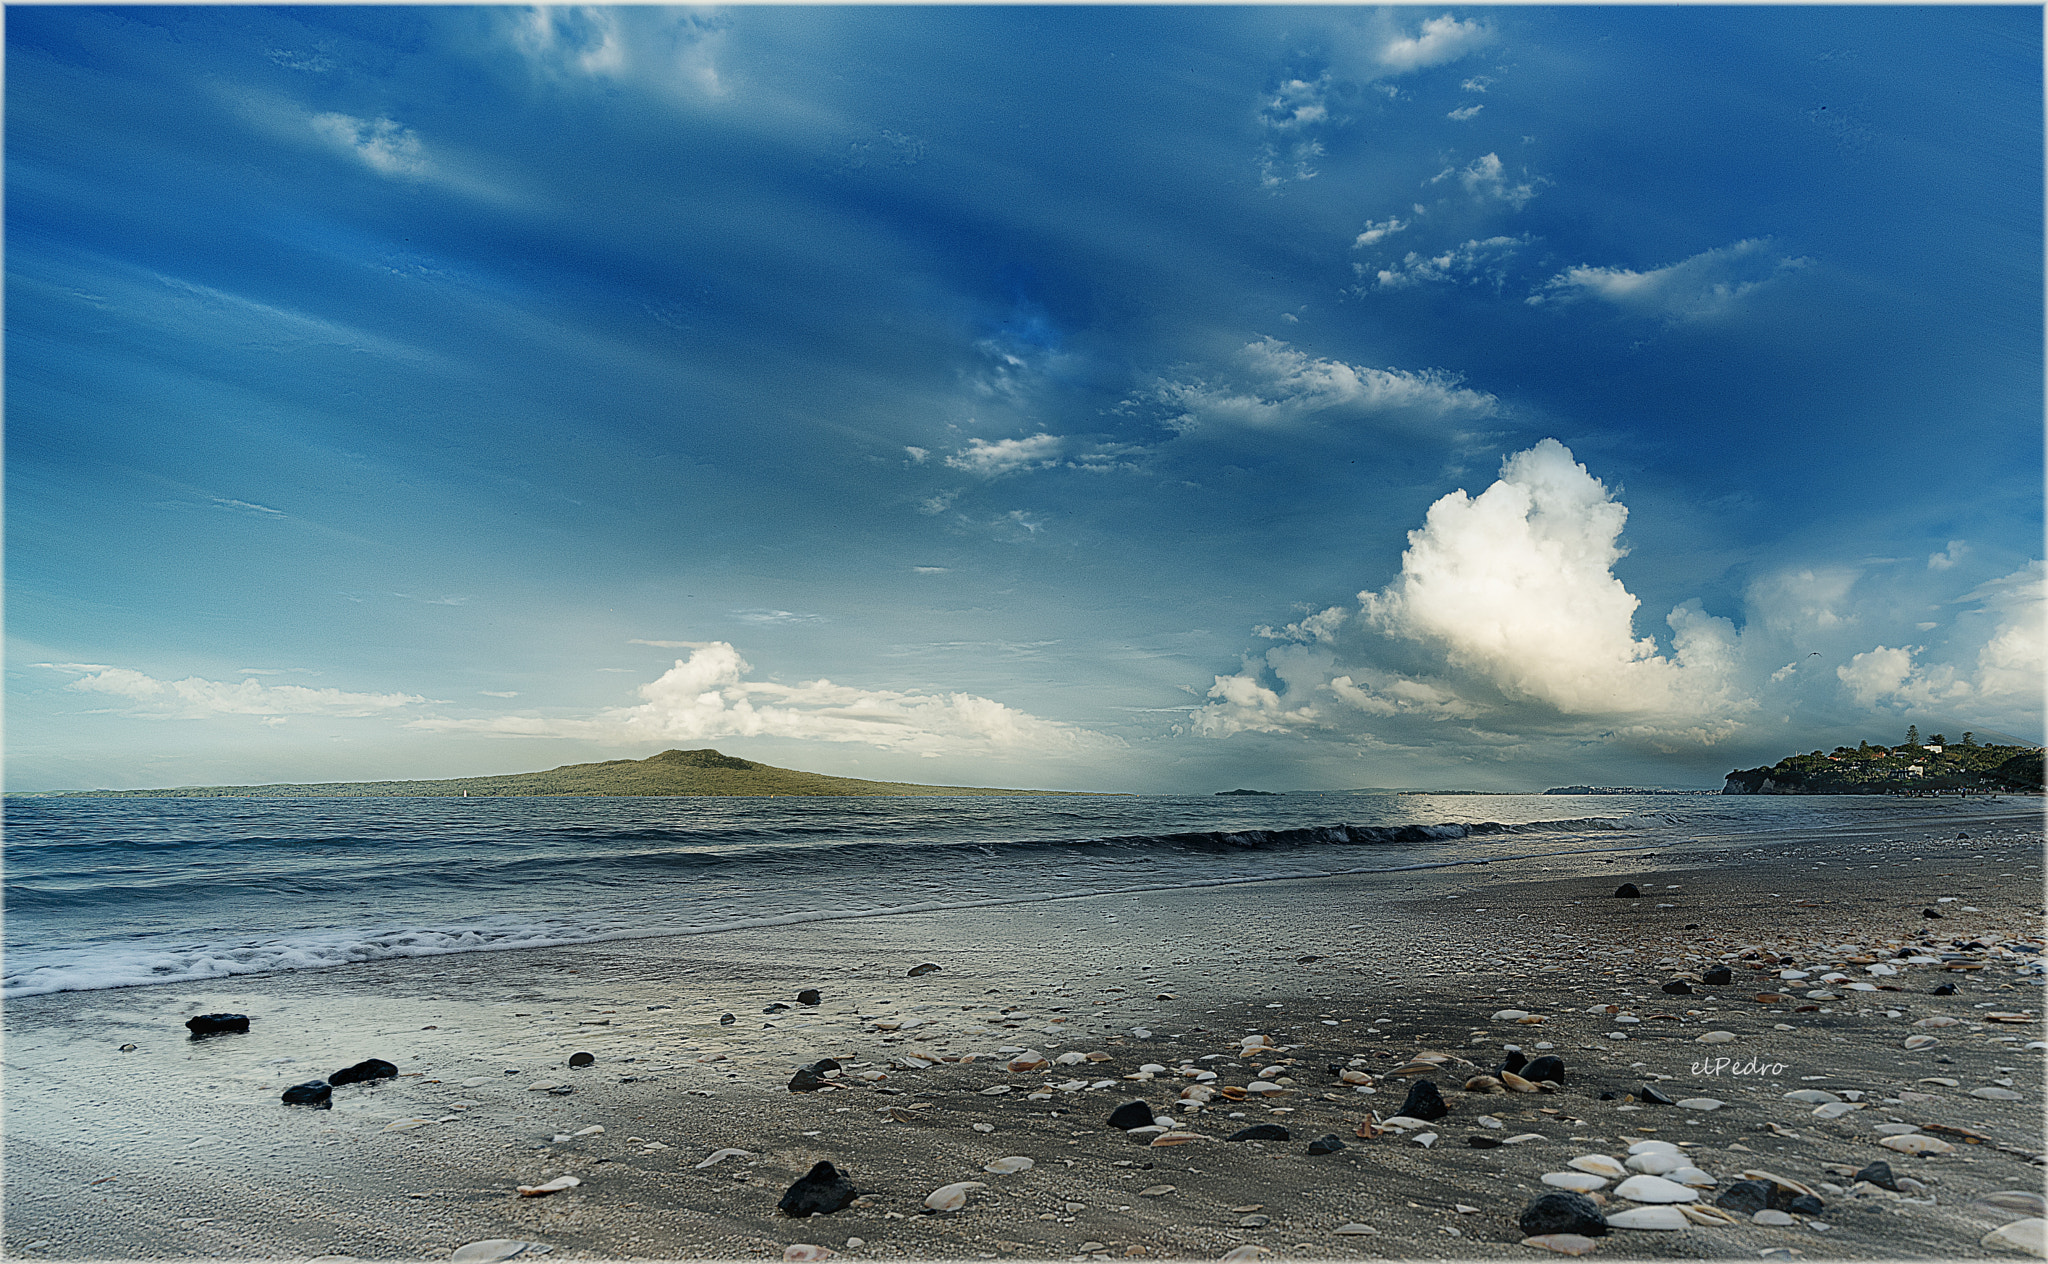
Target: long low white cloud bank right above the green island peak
x=710, y=698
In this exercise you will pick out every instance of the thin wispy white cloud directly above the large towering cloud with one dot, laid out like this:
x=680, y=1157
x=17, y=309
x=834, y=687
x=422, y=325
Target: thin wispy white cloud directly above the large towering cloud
x=1275, y=386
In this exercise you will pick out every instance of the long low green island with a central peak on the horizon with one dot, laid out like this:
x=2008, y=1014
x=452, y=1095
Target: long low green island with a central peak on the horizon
x=669, y=773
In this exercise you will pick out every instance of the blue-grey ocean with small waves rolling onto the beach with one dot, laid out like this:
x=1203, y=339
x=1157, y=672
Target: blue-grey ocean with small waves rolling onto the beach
x=128, y=892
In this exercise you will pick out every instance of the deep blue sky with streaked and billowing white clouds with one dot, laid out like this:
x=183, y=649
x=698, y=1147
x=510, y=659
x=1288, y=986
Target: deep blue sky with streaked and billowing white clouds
x=1154, y=401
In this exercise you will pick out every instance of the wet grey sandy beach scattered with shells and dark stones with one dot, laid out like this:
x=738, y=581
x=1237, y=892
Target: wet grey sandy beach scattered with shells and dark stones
x=130, y=1140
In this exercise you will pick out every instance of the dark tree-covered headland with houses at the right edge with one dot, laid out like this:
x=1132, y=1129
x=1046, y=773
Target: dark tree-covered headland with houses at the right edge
x=1932, y=767
